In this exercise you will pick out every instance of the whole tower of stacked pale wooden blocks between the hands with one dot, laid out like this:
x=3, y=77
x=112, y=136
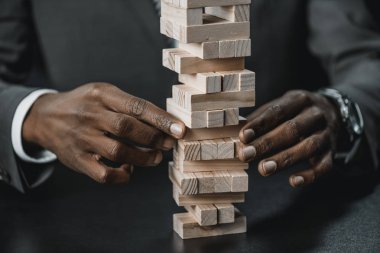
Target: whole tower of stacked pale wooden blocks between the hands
x=213, y=39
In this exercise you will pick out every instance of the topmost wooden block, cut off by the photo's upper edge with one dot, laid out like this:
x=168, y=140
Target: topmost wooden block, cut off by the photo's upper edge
x=205, y=3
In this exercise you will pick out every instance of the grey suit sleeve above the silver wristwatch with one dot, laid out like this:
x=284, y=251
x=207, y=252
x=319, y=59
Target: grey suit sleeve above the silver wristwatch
x=346, y=38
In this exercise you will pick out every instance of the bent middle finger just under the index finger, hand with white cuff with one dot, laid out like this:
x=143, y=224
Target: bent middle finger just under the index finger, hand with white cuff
x=124, y=126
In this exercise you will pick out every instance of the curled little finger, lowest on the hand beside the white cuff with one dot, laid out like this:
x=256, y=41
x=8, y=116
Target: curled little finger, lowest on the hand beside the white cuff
x=101, y=173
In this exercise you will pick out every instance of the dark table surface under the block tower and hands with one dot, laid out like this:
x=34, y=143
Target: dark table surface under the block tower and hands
x=70, y=213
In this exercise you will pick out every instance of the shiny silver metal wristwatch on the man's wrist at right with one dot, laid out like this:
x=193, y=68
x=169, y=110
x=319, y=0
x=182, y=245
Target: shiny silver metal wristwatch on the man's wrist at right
x=352, y=120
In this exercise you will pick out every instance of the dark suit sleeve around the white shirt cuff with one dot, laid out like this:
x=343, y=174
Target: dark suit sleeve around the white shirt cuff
x=15, y=63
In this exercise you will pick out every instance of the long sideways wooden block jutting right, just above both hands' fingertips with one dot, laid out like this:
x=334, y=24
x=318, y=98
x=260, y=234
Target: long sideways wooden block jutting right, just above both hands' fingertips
x=195, y=101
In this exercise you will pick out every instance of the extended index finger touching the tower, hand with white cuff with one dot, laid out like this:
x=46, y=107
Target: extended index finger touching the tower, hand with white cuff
x=143, y=110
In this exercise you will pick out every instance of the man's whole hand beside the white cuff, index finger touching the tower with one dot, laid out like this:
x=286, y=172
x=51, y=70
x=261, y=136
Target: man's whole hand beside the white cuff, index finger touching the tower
x=98, y=121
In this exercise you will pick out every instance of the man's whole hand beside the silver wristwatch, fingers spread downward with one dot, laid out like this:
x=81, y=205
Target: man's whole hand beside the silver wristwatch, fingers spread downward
x=300, y=126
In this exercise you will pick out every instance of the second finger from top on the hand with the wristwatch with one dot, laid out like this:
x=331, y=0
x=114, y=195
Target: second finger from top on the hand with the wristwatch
x=289, y=132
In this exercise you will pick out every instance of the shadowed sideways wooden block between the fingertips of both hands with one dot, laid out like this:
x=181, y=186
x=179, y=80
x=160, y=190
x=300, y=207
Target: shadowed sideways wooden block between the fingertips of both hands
x=210, y=133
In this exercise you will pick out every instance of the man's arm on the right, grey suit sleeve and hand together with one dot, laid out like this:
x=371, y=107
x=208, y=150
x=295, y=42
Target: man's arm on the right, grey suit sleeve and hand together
x=306, y=127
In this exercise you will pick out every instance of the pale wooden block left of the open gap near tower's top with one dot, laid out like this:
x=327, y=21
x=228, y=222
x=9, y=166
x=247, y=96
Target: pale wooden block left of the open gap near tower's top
x=182, y=16
